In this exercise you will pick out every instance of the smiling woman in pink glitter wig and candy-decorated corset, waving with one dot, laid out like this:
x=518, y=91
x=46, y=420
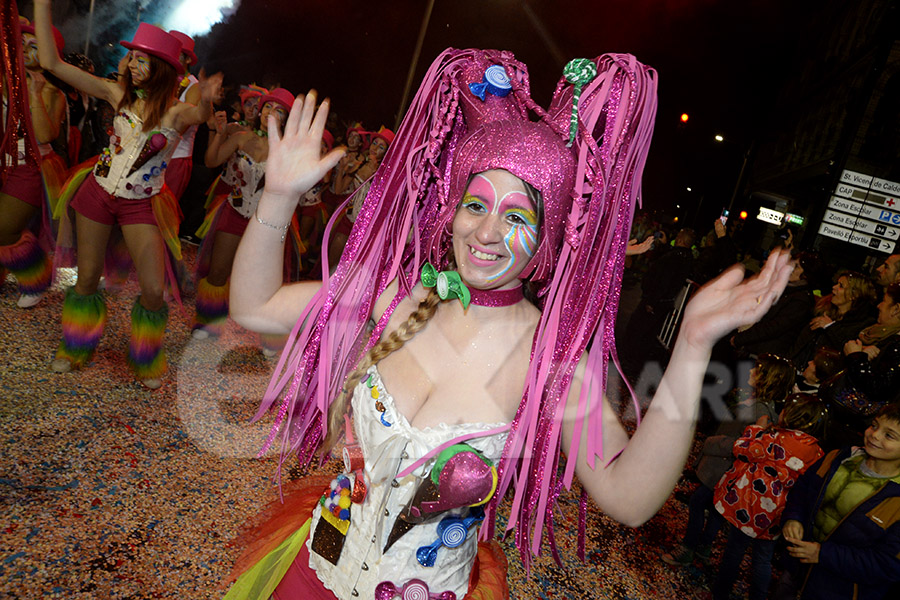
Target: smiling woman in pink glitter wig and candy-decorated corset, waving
x=461, y=345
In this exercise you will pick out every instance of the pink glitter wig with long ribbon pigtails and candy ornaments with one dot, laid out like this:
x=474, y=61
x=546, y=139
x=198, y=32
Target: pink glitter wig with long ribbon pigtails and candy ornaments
x=588, y=193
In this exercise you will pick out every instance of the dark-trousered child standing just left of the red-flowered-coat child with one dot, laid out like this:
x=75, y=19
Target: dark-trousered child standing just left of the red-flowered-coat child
x=771, y=380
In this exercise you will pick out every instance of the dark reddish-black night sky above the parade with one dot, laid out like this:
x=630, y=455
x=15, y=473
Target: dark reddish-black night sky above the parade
x=722, y=62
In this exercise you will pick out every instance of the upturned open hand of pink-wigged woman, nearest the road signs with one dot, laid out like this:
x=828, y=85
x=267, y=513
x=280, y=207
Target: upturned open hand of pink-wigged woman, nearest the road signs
x=727, y=302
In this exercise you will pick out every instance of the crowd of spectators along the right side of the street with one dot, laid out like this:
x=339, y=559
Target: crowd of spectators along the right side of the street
x=812, y=431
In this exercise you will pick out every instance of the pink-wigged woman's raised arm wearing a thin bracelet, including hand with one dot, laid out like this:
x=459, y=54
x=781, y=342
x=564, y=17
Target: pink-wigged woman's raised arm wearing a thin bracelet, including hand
x=259, y=300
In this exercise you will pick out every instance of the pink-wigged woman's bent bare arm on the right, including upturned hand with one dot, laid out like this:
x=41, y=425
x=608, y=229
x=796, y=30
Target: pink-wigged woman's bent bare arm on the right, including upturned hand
x=635, y=485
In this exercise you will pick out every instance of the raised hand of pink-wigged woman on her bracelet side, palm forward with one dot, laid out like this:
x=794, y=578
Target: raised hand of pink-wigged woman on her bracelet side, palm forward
x=295, y=163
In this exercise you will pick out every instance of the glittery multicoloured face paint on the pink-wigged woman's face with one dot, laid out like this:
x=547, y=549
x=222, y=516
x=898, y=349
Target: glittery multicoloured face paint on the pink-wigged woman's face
x=517, y=211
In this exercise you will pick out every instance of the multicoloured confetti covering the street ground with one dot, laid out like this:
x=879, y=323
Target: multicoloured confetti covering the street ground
x=109, y=490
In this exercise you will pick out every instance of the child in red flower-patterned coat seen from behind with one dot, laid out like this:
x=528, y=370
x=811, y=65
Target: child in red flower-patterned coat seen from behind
x=752, y=494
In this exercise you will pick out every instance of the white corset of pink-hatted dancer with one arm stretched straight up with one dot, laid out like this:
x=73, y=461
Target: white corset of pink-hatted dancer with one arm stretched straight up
x=134, y=163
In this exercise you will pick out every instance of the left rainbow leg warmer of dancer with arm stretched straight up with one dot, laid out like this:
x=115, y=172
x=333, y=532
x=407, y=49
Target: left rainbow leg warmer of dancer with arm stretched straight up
x=83, y=320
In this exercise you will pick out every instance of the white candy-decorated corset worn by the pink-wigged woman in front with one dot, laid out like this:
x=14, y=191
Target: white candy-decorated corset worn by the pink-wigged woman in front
x=388, y=450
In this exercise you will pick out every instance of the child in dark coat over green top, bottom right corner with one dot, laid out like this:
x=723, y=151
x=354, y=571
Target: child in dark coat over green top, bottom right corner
x=842, y=520
